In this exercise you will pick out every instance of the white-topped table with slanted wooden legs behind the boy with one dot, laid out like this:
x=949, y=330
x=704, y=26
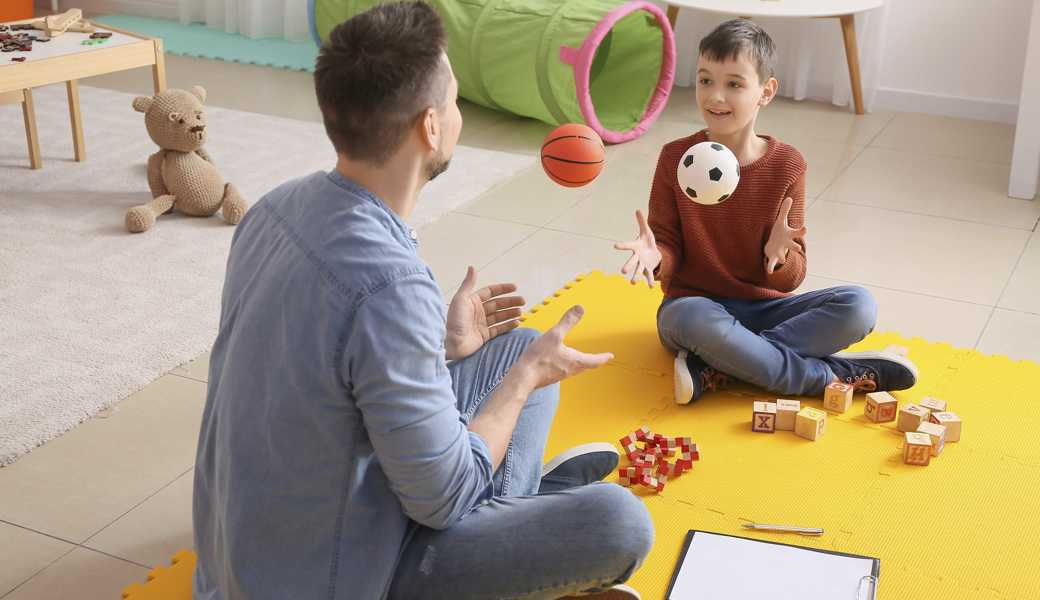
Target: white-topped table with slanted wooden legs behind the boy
x=844, y=11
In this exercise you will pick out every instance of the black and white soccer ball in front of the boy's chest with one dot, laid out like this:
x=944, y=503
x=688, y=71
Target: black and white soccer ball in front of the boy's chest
x=709, y=173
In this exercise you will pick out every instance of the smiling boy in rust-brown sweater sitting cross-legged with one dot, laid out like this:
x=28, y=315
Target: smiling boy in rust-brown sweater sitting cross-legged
x=729, y=270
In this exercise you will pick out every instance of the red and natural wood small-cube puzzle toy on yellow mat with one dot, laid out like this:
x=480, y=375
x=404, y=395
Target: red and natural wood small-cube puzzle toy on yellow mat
x=651, y=466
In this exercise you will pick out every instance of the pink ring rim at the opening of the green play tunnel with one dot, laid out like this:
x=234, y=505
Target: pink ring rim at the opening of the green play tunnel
x=583, y=58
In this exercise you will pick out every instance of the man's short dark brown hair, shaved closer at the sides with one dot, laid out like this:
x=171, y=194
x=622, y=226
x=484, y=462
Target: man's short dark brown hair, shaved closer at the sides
x=377, y=74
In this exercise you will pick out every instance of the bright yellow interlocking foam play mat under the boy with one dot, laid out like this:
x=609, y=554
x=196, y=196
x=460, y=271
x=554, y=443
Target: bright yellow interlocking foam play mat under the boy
x=967, y=527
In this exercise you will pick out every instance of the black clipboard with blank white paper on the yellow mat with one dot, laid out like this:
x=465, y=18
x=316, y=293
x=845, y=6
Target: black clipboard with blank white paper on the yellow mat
x=716, y=565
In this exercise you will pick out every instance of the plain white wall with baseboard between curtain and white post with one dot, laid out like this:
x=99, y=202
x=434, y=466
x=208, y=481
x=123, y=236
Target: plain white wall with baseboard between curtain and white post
x=961, y=58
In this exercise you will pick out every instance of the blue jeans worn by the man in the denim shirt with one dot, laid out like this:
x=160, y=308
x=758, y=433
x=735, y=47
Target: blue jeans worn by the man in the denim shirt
x=522, y=544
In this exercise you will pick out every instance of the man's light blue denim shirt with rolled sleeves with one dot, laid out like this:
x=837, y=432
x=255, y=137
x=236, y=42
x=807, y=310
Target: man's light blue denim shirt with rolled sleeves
x=330, y=421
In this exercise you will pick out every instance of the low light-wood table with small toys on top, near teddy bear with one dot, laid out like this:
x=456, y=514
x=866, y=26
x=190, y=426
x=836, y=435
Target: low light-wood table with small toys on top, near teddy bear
x=65, y=60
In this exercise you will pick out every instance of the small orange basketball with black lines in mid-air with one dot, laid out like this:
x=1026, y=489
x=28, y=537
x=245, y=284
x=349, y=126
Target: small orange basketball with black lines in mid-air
x=573, y=155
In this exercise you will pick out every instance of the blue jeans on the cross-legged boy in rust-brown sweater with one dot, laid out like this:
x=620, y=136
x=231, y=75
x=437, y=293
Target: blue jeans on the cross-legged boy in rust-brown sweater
x=775, y=345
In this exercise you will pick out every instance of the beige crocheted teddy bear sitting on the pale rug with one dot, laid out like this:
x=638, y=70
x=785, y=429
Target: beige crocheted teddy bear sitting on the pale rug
x=181, y=175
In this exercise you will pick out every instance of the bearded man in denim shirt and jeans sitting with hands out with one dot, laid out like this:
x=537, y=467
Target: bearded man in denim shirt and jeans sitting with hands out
x=359, y=441
